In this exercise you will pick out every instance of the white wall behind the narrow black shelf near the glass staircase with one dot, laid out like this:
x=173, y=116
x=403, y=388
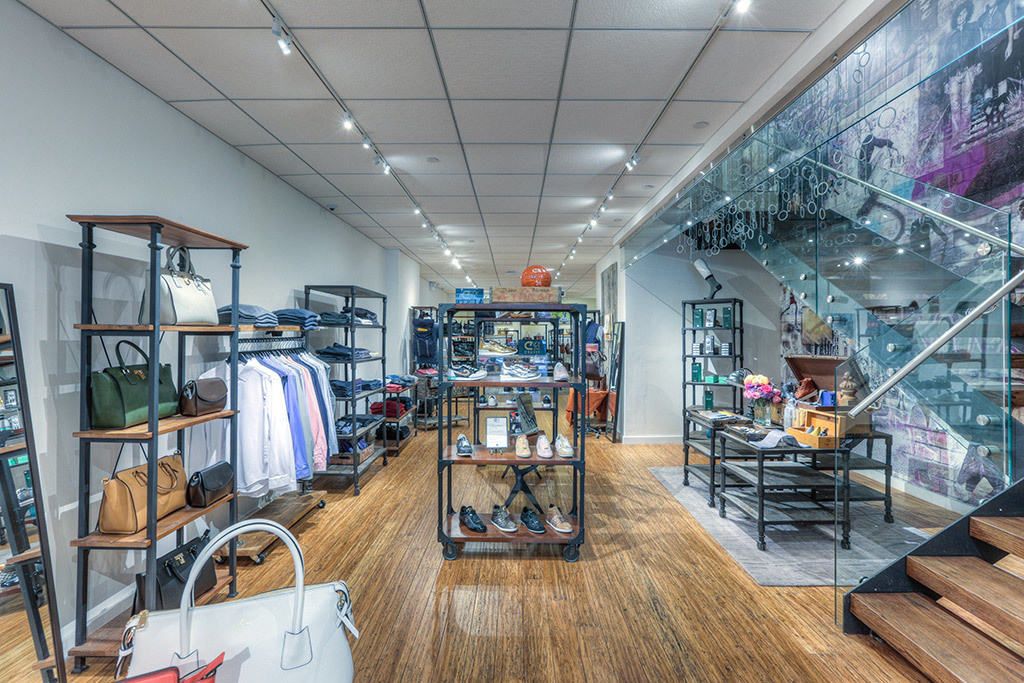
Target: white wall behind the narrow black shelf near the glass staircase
x=655, y=288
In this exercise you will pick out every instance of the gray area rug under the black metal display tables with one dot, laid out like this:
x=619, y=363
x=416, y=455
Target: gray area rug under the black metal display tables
x=797, y=556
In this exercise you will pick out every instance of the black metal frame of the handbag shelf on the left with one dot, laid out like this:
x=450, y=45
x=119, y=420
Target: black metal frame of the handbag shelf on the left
x=154, y=335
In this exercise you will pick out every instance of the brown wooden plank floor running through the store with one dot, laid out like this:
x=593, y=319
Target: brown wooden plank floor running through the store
x=653, y=599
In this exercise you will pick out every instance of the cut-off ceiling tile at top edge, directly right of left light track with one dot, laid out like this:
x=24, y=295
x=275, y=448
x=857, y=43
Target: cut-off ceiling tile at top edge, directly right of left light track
x=333, y=14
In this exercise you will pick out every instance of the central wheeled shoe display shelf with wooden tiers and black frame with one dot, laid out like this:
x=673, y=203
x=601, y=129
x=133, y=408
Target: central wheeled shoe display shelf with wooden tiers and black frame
x=450, y=533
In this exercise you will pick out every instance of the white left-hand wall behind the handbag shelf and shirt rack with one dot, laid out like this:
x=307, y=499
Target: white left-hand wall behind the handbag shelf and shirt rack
x=80, y=138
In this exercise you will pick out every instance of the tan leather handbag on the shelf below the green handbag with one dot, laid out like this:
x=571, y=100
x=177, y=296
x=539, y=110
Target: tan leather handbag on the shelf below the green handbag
x=123, y=509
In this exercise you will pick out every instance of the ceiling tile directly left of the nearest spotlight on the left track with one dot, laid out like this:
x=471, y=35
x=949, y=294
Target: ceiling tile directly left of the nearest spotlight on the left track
x=243, y=63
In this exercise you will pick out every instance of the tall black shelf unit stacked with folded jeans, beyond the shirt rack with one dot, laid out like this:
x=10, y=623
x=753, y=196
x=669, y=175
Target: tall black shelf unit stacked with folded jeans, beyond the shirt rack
x=355, y=464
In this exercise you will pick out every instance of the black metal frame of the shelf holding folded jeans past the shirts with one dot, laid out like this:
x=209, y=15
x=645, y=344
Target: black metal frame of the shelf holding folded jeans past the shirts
x=351, y=294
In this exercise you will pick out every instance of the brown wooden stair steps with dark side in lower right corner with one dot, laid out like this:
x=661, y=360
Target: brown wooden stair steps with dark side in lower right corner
x=948, y=608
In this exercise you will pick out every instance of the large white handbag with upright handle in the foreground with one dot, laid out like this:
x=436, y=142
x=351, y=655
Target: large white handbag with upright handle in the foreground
x=283, y=636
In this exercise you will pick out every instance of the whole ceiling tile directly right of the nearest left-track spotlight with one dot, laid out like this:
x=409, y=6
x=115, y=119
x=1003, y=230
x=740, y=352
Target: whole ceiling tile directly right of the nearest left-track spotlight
x=375, y=63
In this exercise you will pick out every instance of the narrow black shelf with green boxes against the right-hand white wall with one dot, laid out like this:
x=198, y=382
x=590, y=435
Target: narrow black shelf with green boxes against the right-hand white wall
x=733, y=334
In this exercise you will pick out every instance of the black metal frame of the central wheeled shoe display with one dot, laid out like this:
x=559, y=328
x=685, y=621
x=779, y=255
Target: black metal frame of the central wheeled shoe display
x=445, y=400
